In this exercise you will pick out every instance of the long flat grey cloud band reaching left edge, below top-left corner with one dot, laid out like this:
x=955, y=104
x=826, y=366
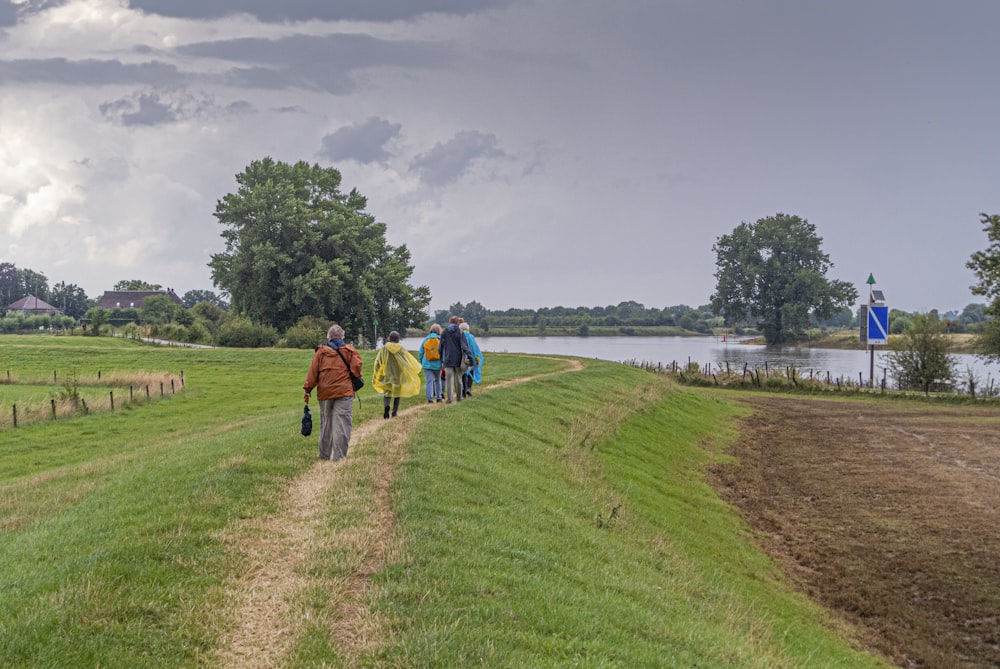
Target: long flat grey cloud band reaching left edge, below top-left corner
x=88, y=72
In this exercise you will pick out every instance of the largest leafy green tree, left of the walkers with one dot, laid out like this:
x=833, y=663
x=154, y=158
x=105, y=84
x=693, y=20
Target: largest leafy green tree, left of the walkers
x=296, y=246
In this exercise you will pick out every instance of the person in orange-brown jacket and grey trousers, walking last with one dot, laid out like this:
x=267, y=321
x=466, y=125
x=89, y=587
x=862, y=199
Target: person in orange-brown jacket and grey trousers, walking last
x=333, y=365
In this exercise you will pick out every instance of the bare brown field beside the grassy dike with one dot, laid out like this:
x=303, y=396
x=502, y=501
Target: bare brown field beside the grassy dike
x=887, y=513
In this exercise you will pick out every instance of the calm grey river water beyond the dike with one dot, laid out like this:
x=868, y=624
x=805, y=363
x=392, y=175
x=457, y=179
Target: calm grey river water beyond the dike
x=718, y=352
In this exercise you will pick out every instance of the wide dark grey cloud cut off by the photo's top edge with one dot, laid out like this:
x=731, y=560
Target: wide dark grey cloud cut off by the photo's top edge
x=322, y=10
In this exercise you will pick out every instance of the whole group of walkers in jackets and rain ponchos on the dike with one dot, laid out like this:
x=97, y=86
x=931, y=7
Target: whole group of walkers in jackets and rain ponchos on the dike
x=451, y=361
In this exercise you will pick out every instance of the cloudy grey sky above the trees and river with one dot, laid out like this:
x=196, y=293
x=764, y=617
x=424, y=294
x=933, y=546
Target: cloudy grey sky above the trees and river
x=528, y=153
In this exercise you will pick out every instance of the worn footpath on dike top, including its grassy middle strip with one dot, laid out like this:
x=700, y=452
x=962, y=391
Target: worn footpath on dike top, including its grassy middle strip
x=317, y=523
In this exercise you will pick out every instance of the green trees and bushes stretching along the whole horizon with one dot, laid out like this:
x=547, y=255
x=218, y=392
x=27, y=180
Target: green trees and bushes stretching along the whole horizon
x=300, y=252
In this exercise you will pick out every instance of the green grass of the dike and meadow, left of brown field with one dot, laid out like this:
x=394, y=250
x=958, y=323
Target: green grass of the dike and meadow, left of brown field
x=559, y=518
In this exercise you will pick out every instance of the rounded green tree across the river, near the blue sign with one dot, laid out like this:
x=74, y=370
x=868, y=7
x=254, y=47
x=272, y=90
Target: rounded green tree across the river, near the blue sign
x=772, y=273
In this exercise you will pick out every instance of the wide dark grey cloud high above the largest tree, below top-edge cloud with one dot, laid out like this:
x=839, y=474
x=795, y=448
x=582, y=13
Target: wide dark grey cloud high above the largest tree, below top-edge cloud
x=310, y=62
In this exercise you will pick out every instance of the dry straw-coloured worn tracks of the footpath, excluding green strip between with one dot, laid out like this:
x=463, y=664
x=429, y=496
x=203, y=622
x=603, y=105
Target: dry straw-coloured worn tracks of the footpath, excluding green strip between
x=277, y=546
